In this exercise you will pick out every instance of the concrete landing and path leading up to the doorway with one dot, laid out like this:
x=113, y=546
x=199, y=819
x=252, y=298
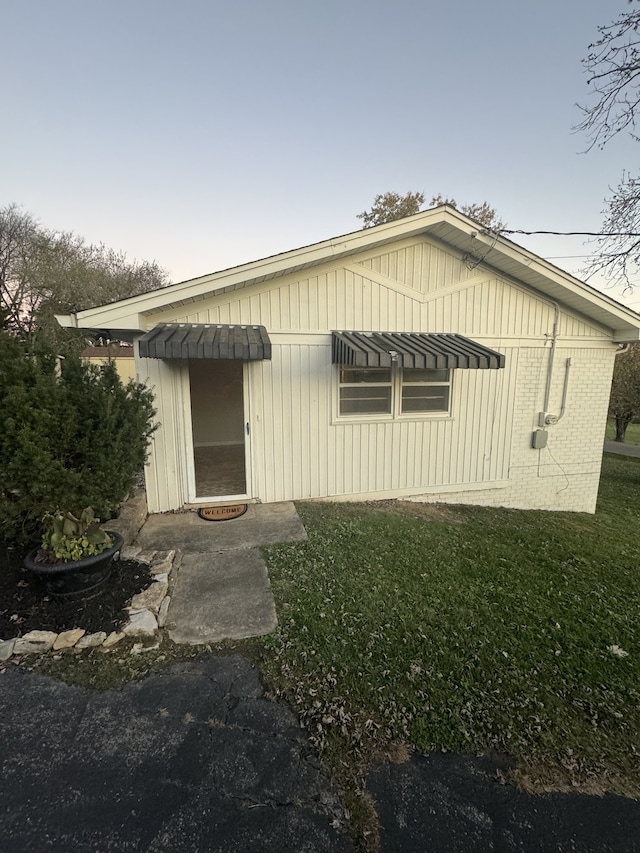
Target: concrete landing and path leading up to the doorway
x=222, y=591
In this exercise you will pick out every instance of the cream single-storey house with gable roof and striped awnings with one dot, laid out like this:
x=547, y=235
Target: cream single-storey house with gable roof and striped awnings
x=424, y=359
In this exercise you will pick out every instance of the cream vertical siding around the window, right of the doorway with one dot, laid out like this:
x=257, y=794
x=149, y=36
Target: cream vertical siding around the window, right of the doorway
x=300, y=450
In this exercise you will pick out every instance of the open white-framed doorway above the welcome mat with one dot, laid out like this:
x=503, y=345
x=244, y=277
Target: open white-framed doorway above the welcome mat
x=217, y=418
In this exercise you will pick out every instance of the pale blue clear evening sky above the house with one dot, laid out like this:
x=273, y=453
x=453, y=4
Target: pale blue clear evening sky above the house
x=203, y=134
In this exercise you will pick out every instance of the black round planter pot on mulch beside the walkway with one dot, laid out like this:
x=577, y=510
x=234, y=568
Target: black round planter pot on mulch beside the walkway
x=76, y=579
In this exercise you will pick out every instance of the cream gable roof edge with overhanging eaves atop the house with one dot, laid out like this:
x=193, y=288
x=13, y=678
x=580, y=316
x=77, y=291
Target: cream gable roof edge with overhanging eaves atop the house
x=444, y=224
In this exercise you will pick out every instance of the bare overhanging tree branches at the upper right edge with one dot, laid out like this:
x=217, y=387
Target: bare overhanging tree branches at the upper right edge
x=613, y=66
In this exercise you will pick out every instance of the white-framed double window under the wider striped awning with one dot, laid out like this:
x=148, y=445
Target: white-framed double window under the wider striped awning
x=387, y=391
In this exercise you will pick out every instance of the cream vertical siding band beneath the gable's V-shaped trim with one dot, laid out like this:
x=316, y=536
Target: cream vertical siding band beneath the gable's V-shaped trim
x=345, y=299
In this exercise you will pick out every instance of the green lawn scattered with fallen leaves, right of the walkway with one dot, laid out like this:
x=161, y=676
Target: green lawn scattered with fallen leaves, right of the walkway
x=468, y=629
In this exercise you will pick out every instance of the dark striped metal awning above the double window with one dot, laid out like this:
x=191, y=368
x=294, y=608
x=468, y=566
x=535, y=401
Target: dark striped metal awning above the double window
x=411, y=349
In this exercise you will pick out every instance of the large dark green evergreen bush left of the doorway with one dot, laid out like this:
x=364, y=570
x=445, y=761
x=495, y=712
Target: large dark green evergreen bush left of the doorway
x=66, y=441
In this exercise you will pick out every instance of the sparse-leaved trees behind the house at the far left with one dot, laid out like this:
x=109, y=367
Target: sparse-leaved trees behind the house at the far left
x=43, y=272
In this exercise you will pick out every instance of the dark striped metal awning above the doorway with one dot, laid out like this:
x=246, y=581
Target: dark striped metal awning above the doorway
x=204, y=340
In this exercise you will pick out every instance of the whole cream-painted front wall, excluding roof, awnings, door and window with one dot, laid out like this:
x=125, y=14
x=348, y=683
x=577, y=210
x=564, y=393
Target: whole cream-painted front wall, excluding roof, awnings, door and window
x=299, y=449
